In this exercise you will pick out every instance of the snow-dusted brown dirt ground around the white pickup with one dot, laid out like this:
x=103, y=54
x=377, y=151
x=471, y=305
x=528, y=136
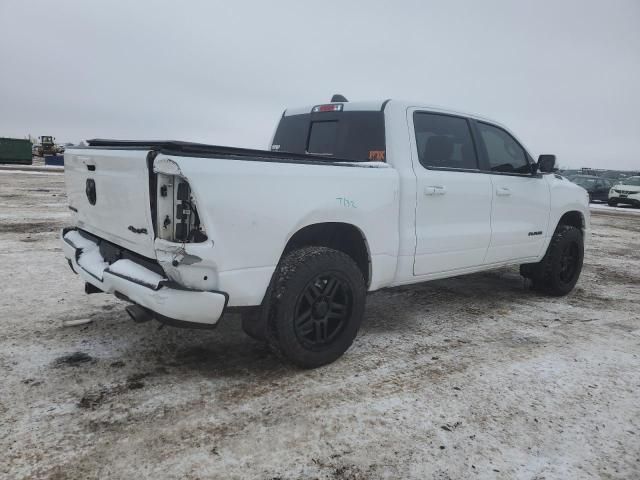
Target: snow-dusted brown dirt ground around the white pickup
x=472, y=377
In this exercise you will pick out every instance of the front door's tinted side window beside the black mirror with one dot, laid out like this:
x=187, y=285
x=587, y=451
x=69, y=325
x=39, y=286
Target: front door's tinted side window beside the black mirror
x=504, y=153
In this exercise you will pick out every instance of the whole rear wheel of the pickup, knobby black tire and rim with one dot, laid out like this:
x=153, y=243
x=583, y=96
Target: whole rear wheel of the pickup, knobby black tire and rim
x=316, y=305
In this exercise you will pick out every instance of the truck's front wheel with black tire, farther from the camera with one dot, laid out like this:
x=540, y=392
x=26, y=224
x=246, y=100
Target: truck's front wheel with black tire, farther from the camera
x=558, y=272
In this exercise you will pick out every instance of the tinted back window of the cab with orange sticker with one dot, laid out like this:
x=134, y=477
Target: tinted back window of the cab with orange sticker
x=345, y=135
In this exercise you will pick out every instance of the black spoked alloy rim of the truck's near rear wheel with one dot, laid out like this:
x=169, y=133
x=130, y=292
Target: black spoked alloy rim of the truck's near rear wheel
x=322, y=310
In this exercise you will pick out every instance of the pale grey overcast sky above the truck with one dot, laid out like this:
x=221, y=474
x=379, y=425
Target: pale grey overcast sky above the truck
x=563, y=75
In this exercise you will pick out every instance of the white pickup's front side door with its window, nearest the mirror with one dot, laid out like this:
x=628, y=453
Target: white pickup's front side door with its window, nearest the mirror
x=521, y=200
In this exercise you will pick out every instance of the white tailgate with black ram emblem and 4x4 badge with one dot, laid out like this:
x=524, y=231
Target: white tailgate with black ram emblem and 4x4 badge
x=108, y=194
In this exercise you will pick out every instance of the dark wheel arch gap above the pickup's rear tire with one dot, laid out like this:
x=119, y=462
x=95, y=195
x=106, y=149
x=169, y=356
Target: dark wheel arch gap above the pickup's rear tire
x=341, y=236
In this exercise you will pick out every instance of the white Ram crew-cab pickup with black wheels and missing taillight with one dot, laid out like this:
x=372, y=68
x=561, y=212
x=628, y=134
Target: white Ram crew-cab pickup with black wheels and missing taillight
x=351, y=197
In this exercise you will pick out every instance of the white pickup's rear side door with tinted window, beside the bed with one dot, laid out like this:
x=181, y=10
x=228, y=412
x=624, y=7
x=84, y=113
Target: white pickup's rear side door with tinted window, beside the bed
x=453, y=204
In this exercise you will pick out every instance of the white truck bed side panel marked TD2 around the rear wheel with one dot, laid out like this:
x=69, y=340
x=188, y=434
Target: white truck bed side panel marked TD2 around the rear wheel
x=250, y=209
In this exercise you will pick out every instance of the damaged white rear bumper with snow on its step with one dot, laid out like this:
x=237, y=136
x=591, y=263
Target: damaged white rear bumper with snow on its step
x=141, y=285
